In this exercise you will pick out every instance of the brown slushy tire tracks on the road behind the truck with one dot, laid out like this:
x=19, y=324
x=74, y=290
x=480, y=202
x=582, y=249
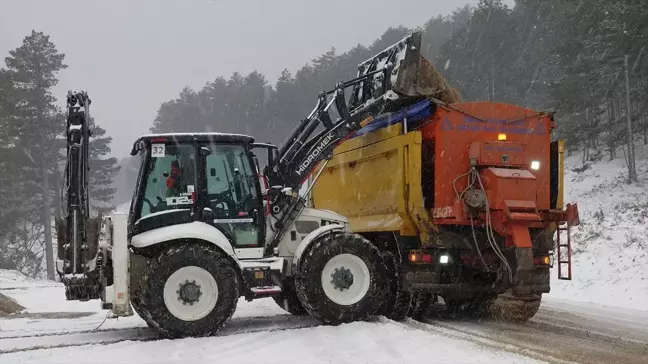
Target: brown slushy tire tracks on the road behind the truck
x=553, y=336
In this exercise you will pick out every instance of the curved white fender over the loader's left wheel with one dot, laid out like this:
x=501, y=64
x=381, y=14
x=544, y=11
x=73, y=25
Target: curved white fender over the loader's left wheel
x=192, y=230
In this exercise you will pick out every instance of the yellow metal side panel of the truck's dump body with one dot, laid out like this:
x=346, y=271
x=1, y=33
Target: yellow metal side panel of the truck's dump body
x=374, y=180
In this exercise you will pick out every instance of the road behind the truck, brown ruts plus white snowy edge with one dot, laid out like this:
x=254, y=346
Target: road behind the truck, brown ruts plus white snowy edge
x=565, y=331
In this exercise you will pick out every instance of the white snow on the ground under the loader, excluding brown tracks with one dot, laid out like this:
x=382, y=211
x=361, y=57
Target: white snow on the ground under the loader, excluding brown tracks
x=361, y=342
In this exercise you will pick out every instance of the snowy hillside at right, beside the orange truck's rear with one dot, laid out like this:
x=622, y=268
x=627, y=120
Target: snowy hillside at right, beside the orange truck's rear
x=610, y=247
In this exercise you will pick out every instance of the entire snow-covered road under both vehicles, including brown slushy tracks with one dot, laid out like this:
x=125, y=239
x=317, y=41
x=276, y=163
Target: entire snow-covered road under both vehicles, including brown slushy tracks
x=52, y=330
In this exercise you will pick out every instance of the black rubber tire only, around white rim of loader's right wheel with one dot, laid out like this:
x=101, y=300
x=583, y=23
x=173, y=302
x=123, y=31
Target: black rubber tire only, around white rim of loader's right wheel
x=311, y=292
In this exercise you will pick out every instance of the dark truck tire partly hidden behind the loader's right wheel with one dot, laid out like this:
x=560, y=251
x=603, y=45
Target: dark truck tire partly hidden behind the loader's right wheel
x=398, y=301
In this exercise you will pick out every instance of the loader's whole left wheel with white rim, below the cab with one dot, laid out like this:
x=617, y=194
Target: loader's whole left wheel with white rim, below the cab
x=189, y=290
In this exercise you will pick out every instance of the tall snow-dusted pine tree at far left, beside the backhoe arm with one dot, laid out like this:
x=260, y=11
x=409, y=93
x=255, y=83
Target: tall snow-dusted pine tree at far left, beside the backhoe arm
x=33, y=67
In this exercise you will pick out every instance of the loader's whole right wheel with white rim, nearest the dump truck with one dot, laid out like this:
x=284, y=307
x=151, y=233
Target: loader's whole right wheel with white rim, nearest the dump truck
x=340, y=278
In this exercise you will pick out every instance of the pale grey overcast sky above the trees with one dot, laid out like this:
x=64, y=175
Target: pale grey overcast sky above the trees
x=133, y=55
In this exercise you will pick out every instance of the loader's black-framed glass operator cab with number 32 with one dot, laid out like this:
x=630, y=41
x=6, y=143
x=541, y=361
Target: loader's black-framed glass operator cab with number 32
x=207, y=177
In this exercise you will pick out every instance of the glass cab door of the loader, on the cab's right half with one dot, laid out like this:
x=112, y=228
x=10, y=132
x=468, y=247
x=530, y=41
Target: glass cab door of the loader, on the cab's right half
x=232, y=198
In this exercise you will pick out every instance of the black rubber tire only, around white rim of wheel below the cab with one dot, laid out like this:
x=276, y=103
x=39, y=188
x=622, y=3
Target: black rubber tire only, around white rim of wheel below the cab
x=190, y=256
